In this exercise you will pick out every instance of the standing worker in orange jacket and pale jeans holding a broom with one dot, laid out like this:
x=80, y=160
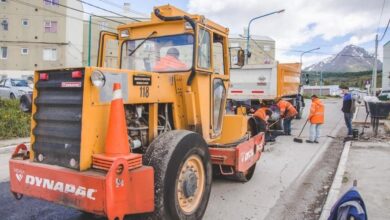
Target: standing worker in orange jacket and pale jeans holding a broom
x=316, y=119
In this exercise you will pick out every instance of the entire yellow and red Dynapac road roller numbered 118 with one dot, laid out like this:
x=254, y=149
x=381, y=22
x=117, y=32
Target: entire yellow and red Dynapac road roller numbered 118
x=156, y=149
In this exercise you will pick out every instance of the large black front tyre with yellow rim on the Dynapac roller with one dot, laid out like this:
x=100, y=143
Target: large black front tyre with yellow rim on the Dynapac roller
x=182, y=175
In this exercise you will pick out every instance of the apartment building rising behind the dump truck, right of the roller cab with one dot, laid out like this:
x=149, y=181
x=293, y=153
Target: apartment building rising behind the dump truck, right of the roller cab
x=262, y=48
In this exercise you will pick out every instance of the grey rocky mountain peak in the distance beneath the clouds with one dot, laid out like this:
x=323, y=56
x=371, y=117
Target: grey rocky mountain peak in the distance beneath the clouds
x=350, y=59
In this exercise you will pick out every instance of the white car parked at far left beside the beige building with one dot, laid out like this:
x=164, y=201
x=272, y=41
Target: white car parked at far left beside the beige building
x=14, y=88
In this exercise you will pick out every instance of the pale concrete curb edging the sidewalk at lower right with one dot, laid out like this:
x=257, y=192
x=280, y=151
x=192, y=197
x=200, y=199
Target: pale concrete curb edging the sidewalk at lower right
x=334, y=190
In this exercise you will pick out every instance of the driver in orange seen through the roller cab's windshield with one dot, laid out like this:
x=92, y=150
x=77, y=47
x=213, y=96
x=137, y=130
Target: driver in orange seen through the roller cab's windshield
x=170, y=62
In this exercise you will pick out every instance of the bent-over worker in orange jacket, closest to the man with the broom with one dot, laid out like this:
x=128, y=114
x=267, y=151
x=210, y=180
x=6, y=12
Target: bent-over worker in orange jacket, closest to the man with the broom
x=287, y=113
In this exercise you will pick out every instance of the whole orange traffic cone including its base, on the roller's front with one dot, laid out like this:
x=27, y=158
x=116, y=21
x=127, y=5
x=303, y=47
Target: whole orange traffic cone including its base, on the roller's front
x=117, y=143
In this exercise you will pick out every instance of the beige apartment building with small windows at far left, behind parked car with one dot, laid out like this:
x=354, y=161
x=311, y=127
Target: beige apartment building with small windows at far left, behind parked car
x=40, y=34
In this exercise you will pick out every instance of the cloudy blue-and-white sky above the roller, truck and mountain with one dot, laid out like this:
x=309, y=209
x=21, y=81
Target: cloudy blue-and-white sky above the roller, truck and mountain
x=305, y=24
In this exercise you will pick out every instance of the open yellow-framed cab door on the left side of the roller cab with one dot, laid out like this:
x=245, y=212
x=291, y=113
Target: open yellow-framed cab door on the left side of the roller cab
x=108, y=53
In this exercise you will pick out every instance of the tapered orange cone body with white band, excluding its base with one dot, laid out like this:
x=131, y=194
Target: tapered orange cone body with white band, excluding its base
x=116, y=140
